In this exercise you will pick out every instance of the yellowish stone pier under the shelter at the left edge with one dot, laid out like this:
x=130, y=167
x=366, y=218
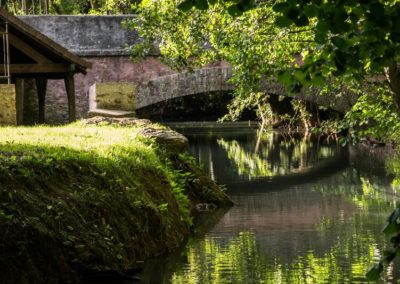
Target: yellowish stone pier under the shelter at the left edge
x=8, y=109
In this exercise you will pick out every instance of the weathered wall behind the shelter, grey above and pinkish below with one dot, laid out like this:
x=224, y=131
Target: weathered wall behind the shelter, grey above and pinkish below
x=101, y=40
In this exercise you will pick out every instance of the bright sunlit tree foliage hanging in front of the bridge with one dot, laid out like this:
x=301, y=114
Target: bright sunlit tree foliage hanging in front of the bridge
x=254, y=47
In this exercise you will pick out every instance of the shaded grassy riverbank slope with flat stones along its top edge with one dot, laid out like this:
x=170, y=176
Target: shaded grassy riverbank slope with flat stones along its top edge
x=56, y=213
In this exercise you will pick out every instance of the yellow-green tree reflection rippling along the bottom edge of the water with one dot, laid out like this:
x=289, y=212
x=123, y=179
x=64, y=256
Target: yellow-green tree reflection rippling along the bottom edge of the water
x=238, y=260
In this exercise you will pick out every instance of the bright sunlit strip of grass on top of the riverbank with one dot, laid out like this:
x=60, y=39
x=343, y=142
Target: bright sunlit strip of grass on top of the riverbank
x=103, y=141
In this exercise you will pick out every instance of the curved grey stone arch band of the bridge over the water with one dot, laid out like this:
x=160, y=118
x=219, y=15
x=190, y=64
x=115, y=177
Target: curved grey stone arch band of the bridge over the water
x=216, y=79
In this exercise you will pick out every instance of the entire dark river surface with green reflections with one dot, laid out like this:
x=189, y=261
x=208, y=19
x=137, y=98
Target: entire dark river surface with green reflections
x=306, y=211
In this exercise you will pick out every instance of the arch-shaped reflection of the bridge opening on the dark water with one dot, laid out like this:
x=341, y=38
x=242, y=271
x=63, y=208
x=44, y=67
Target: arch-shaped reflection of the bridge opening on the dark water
x=248, y=156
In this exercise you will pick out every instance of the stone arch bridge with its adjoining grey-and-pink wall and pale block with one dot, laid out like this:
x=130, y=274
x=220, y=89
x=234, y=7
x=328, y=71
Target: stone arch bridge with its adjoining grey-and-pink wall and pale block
x=102, y=41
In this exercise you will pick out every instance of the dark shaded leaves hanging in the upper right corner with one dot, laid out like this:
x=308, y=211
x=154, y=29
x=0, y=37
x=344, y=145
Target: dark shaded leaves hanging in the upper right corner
x=354, y=38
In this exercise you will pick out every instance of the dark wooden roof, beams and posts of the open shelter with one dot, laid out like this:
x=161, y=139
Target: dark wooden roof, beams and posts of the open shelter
x=28, y=54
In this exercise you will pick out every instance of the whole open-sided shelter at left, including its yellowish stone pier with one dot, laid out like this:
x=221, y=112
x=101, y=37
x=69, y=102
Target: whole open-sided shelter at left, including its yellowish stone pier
x=29, y=60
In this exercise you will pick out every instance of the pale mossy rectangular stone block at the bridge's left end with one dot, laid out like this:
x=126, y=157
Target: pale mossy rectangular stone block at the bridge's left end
x=112, y=96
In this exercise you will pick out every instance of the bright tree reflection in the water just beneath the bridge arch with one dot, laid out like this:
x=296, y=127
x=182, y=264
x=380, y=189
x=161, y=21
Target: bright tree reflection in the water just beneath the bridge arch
x=276, y=155
